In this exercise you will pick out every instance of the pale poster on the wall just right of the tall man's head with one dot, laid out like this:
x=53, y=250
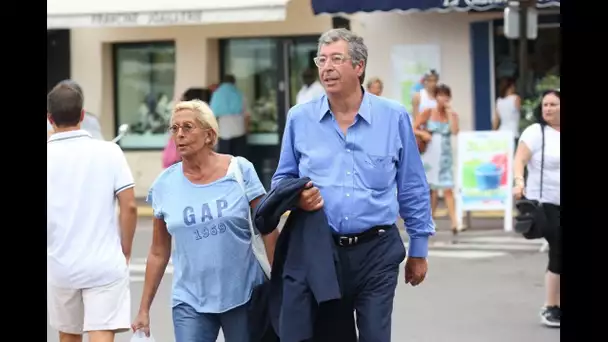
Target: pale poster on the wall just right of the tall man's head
x=409, y=63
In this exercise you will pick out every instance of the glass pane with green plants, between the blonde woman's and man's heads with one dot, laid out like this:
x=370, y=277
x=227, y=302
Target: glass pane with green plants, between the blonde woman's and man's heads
x=253, y=62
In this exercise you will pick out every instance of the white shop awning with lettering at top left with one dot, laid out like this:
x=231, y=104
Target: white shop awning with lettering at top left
x=65, y=14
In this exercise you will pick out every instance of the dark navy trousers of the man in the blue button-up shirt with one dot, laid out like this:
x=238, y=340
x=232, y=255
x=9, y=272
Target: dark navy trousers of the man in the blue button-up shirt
x=369, y=273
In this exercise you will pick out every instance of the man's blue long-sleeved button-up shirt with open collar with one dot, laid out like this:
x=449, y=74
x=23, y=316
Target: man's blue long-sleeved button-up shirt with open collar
x=366, y=177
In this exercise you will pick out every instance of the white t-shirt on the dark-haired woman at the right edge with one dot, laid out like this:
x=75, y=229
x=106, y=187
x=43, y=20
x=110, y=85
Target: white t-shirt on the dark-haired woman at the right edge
x=532, y=137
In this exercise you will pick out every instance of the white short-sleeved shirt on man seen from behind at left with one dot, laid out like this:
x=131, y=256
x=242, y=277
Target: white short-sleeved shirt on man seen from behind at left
x=83, y=177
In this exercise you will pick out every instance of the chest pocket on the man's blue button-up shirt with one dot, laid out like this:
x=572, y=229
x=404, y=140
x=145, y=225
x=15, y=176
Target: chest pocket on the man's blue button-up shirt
x=377, y=171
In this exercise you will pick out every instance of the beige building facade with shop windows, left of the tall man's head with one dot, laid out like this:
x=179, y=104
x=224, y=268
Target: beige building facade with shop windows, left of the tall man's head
x=131, y=71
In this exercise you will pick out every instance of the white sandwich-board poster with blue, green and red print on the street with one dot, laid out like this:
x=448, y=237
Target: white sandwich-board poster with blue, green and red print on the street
x=485, y=173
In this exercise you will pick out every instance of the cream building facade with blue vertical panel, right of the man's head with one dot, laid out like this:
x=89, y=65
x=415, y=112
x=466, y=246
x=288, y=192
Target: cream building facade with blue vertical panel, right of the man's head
x=472, y=55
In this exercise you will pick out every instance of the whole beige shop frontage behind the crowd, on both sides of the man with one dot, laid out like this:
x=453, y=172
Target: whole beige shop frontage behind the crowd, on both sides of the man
x=135, y=62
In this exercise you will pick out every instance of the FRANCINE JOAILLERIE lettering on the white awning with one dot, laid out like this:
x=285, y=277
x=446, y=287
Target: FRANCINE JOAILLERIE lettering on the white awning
x=144, y=19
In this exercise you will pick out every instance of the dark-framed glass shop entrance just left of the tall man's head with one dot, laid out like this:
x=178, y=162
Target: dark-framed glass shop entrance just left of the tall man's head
x=268, y=72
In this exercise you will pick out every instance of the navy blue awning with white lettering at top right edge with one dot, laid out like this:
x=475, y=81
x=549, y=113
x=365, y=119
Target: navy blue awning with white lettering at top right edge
x=353, y=6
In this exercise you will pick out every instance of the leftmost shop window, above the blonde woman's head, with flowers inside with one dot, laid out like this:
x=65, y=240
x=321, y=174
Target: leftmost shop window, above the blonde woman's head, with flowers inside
x=145, y=79
